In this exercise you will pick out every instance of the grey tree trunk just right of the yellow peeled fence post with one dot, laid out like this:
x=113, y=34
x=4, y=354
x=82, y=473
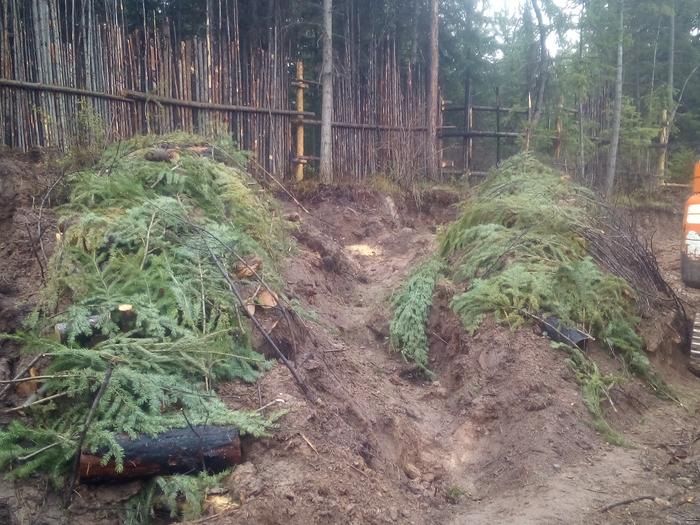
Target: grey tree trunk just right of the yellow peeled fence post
x=326, y=165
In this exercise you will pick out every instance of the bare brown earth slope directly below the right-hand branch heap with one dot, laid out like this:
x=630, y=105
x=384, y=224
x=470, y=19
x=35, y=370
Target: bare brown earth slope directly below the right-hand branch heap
x=519, y=408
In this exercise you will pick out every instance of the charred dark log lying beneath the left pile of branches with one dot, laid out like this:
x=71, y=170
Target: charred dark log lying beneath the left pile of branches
x=177, y=451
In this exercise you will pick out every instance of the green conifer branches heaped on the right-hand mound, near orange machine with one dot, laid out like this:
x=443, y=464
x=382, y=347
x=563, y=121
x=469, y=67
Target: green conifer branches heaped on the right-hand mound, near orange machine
x=532, y=245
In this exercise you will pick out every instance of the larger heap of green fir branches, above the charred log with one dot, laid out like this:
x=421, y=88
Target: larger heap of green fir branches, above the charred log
x=139, y=306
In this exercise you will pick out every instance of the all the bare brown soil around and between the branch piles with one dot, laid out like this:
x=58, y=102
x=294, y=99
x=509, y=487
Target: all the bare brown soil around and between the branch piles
x=500, y=434
